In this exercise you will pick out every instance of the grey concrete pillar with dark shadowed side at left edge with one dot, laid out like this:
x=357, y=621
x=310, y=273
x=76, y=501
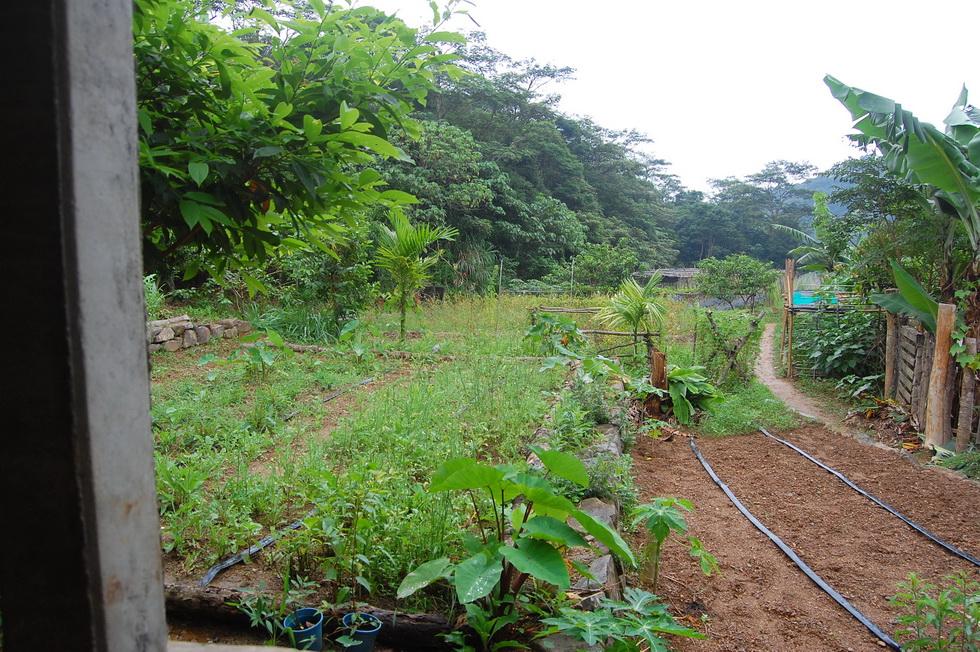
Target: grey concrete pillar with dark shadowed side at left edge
x=79, y=552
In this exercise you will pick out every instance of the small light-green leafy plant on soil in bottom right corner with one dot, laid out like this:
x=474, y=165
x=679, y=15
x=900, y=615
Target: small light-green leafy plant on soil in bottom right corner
x=939, y=619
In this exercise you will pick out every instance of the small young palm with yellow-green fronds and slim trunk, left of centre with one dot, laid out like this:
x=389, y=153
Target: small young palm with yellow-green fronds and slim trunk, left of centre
x=400, y=251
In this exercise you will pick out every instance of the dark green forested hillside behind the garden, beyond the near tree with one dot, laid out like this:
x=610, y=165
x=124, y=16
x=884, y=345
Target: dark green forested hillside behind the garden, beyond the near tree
x=521, y=180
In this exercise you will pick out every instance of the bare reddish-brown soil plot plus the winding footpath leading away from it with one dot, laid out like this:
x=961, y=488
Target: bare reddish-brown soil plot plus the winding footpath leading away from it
x=761, y=601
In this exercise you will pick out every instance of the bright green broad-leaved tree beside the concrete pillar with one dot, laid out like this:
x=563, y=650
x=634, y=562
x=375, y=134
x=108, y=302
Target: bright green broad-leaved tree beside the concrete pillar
x=249, y=146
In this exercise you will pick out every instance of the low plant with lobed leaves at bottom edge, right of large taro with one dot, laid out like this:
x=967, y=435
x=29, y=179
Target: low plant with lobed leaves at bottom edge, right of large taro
x=638, y=620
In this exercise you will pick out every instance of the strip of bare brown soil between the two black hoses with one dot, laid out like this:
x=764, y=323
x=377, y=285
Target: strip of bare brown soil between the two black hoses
x=824, y=521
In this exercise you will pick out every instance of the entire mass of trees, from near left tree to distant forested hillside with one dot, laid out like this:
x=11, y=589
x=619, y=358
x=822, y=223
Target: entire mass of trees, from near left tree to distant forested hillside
x=281, y=145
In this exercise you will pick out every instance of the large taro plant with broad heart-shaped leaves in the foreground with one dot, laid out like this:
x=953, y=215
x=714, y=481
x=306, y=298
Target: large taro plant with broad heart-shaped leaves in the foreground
x=523, y=529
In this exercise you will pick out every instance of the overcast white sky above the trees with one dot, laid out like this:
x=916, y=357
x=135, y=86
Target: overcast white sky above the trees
x=723, y=87
